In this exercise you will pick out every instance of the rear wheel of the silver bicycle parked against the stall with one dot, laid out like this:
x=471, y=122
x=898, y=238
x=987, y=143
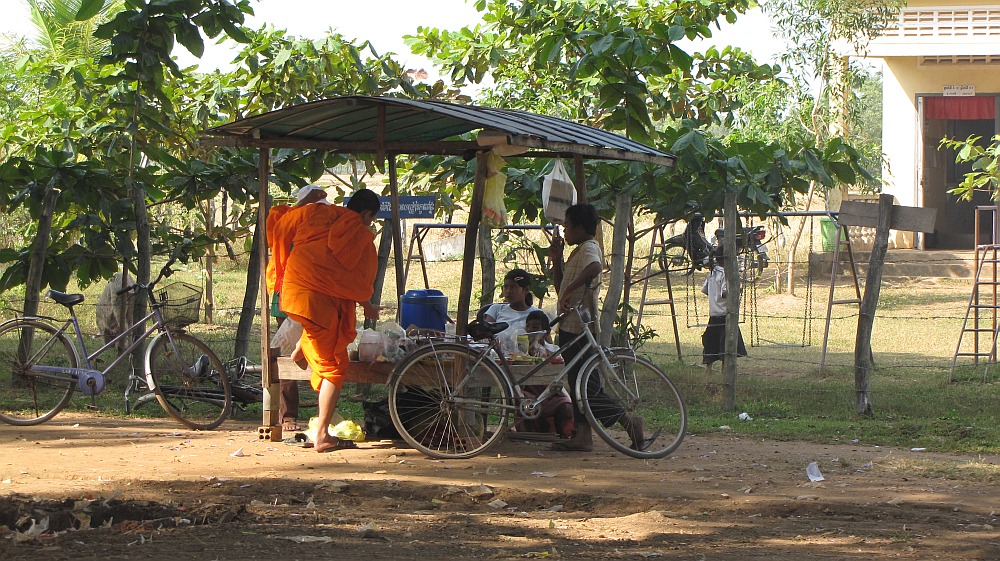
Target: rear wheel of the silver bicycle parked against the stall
x=447, y=404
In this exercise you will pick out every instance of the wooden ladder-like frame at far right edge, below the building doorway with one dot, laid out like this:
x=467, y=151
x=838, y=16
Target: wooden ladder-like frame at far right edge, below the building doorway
x=981, y=315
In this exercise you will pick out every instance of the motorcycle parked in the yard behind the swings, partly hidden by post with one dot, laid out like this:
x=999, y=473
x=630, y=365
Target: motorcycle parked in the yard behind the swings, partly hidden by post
x=691, y=250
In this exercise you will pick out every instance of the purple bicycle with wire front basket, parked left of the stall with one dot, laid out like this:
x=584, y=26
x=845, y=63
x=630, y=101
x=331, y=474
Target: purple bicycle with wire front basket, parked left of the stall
x=41, y=366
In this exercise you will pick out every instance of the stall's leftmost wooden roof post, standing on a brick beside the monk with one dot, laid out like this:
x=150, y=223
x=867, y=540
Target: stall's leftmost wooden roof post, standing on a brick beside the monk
x=269, y=380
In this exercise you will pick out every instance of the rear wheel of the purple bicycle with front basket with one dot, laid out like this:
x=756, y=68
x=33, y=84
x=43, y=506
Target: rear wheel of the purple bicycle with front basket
x=26, y=398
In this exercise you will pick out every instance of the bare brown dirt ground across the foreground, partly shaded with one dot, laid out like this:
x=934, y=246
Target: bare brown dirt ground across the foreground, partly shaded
x=145, y=489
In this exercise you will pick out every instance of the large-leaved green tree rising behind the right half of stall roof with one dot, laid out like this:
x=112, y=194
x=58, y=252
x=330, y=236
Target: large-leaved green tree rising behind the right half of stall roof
x=616, y=65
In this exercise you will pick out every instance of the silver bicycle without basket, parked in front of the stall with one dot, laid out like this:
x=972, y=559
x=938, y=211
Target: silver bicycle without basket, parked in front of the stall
x=452, y=398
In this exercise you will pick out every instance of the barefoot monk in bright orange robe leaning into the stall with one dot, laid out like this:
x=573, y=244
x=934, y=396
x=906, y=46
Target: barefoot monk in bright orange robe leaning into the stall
x=330, y=270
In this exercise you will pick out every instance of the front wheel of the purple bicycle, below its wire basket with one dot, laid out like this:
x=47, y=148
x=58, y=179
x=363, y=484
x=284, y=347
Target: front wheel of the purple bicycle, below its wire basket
x=189, y=381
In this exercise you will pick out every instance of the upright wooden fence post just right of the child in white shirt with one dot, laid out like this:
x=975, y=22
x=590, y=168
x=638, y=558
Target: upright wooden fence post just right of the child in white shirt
x=732, y=302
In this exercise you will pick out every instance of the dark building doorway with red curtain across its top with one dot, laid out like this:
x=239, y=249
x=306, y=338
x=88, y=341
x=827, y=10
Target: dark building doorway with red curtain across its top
x=959, y=118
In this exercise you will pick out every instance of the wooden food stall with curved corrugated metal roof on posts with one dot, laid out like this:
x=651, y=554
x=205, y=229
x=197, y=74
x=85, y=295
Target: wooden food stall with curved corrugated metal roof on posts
x=390, y=127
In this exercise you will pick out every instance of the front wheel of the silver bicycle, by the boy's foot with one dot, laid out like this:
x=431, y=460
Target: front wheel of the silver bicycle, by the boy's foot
x=637, y=387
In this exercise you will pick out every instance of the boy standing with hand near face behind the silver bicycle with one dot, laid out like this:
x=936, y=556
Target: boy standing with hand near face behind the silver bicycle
x=577, y=282
